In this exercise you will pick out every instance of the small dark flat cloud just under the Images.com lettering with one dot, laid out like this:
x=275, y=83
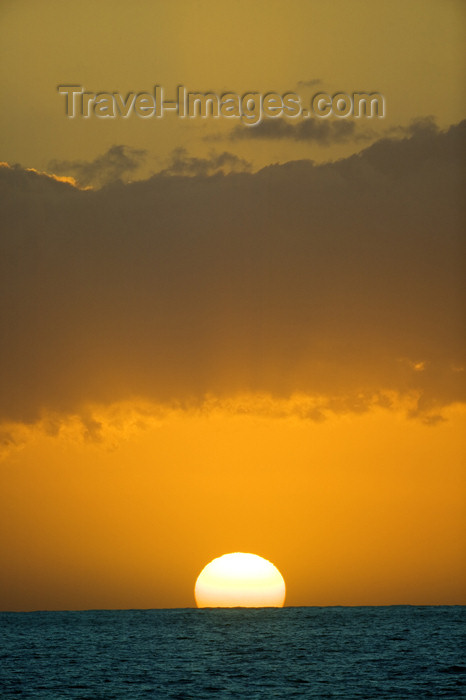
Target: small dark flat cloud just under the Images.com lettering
x=322, y=131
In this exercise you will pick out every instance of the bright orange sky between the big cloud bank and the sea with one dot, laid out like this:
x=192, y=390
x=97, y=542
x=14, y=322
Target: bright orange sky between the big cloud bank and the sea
x=354, y=510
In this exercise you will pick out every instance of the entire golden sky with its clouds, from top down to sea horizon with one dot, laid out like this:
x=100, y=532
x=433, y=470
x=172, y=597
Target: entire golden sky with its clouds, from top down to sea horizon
x=219, y=337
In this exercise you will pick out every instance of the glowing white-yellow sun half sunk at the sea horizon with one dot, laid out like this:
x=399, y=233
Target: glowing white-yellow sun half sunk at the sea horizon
x=240, y=580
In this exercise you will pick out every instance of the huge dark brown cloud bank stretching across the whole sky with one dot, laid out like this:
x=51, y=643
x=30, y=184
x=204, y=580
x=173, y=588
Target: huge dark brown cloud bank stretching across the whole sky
x=332, y=280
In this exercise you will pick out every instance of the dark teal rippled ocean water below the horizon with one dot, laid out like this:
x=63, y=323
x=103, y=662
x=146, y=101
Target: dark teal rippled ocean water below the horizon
x=368, y=652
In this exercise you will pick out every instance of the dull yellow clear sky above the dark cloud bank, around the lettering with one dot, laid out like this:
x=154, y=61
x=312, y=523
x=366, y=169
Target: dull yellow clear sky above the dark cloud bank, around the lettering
x=411, y=52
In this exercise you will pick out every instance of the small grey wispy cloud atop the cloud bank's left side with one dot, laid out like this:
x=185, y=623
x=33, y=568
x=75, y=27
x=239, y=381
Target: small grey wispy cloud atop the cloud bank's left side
x=117, y=163
